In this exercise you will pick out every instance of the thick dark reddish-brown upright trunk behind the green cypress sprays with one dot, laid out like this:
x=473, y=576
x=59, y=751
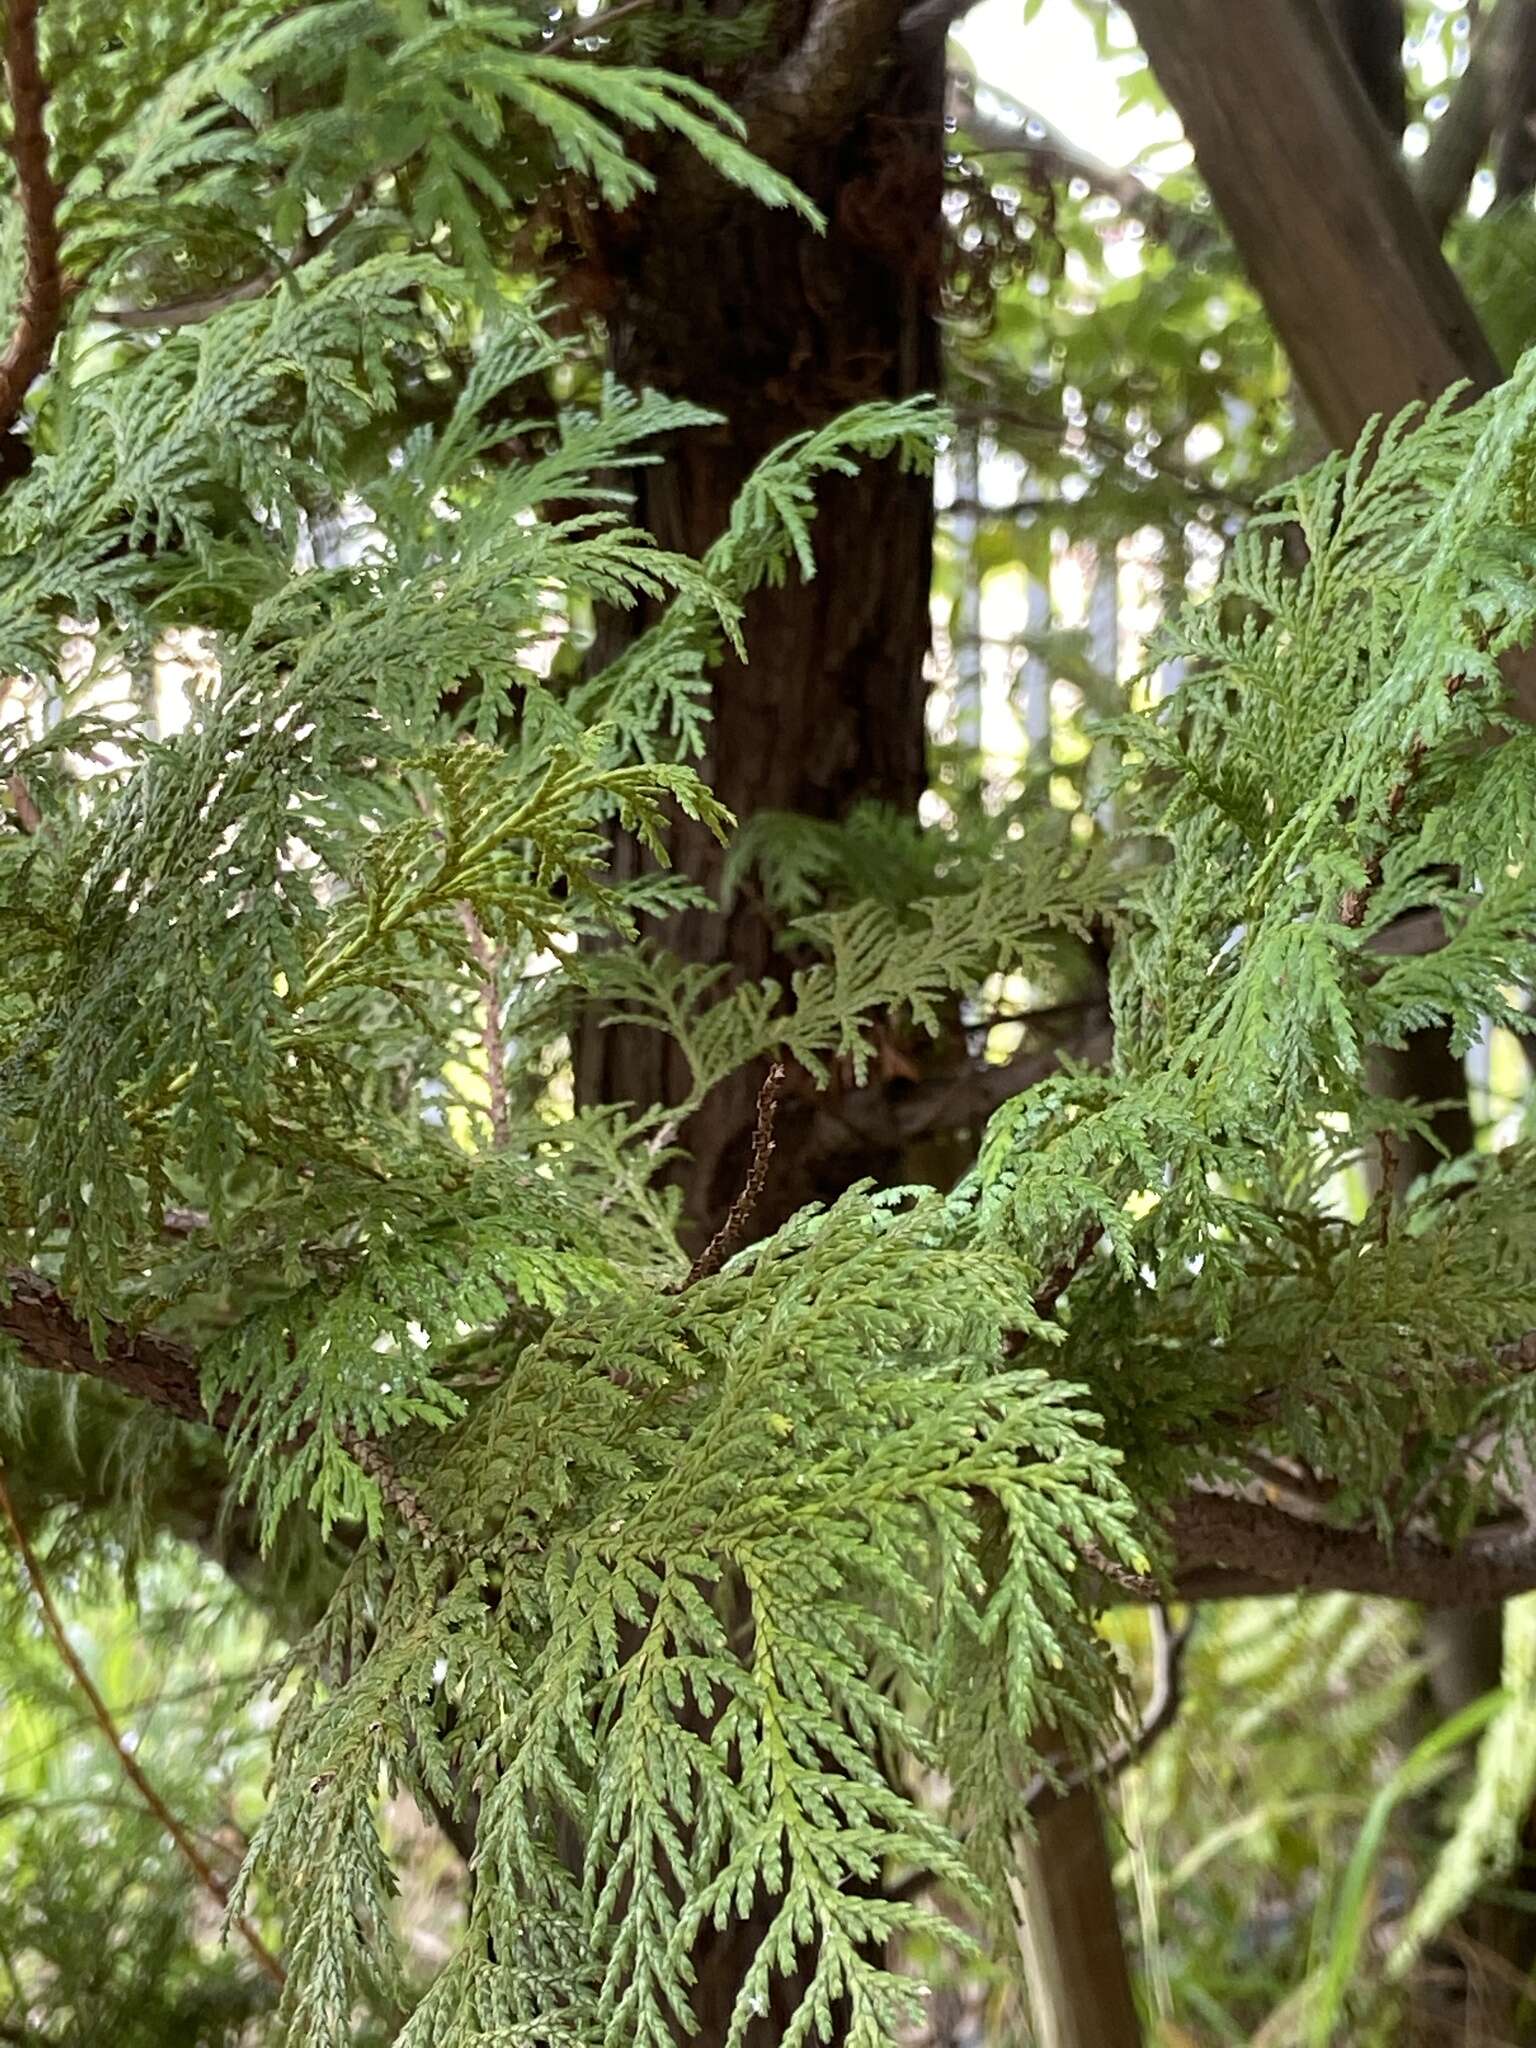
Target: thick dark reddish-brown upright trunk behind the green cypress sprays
x=781, y=331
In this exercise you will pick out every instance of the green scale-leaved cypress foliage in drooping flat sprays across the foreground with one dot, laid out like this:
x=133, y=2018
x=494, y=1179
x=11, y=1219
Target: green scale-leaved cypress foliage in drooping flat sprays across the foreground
x=290, y=988
